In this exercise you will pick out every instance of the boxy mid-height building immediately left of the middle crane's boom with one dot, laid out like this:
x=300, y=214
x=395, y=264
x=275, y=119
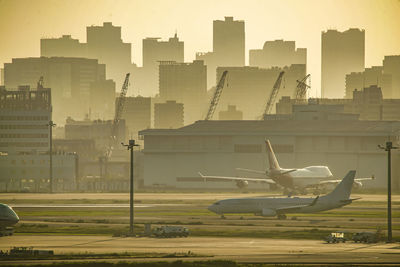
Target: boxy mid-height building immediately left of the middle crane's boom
x=185, y=83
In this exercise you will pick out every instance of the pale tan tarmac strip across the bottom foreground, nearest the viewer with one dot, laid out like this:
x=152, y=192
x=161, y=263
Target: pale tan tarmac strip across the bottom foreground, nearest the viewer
x=238, y=249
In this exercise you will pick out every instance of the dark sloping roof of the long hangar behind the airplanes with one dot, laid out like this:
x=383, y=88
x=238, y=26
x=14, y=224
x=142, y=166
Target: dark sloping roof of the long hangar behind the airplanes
x=283, y=127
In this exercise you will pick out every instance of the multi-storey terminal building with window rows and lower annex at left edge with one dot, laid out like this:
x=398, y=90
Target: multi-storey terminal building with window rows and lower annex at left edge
x=24, y=144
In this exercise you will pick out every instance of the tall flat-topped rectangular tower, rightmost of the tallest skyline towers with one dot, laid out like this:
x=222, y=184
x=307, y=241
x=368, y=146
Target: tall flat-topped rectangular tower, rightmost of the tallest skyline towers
x=341, y=54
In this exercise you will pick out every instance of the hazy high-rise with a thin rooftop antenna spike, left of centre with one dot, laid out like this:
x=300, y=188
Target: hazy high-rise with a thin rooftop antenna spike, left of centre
x=155, y=51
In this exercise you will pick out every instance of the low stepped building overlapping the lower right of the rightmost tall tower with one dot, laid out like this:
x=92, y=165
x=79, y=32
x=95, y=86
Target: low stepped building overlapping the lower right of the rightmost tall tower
x=370, y=76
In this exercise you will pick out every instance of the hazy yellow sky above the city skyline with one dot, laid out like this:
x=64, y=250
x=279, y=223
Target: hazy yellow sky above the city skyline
x=24, y=22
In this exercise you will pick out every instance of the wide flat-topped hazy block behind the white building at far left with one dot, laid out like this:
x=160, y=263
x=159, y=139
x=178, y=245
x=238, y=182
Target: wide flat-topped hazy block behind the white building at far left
x=69, y=78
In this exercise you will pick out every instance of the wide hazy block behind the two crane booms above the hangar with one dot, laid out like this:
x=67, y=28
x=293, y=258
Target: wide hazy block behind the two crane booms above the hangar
x=249, y=88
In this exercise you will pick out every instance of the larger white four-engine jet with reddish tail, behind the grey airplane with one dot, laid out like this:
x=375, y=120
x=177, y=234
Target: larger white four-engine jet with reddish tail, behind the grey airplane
x=292, y=180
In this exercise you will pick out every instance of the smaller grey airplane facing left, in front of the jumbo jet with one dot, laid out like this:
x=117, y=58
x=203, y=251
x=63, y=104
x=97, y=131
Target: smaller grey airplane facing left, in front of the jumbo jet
x=269, y=206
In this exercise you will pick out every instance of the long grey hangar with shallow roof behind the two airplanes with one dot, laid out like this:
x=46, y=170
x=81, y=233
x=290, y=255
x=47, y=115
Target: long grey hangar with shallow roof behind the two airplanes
x=173, y=157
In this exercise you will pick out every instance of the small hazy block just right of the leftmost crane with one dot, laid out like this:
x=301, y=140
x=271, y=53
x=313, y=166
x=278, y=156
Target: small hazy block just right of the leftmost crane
x=137, y=114
